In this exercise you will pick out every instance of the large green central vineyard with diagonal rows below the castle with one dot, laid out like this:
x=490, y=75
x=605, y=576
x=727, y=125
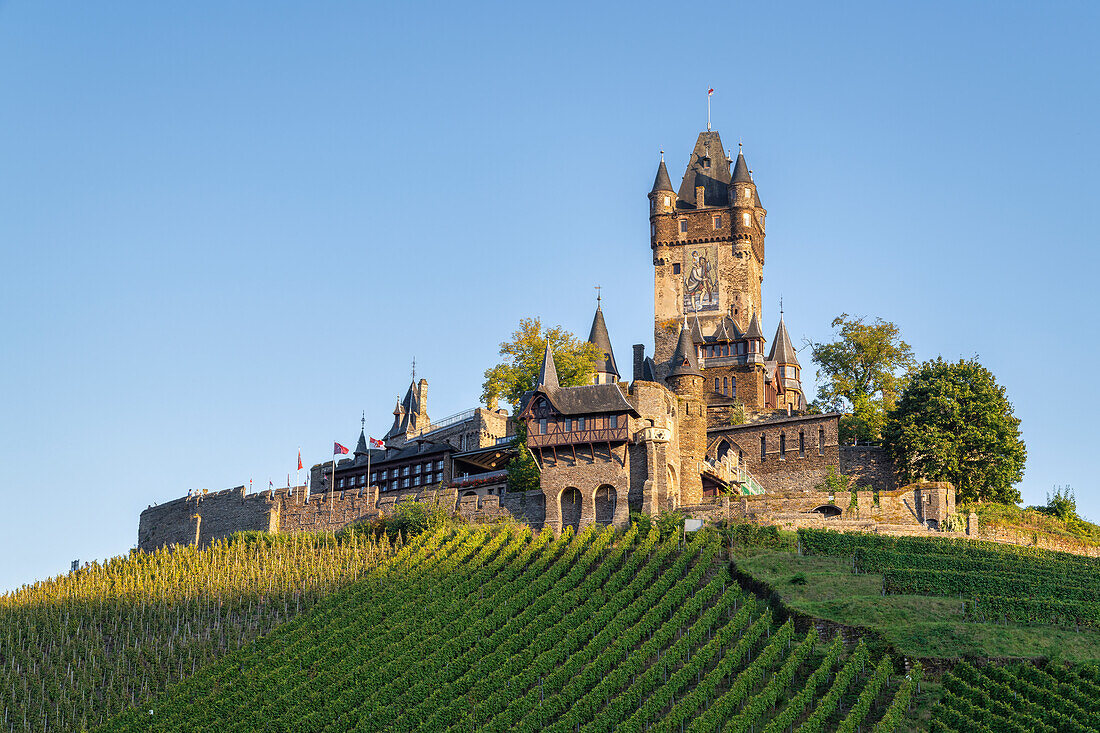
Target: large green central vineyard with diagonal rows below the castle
x=501, y=630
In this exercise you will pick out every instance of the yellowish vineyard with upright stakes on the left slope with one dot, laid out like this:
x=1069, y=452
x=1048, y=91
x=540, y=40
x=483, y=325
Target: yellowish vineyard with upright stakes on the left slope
x=82, y=648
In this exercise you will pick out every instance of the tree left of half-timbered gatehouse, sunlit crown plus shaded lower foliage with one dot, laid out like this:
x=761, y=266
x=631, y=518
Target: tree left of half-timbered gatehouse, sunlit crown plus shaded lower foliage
x=576, y=362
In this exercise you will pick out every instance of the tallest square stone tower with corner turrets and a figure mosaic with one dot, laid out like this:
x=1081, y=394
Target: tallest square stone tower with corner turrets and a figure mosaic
x=708, y=243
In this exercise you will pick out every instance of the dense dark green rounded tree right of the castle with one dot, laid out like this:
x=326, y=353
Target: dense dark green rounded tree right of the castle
x=954, y=423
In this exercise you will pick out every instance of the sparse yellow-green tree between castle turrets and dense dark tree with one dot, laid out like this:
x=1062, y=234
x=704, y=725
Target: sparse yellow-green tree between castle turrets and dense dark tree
x=862, y=374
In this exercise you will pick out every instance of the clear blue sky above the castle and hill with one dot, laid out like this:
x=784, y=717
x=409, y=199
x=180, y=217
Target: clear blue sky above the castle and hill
x=226, y=229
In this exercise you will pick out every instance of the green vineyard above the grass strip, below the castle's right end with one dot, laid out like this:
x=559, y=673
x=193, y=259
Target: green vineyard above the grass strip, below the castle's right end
x=997, y=583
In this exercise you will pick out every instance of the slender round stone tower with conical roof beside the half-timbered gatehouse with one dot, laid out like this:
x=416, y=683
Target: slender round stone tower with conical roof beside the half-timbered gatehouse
x=687, y=382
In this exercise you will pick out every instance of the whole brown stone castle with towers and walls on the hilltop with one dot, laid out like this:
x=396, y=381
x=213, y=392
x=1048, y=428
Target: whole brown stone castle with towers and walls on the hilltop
x=714, y=423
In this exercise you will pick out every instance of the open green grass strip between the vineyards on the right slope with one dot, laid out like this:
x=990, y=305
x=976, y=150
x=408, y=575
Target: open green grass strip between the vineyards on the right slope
x=918, y=627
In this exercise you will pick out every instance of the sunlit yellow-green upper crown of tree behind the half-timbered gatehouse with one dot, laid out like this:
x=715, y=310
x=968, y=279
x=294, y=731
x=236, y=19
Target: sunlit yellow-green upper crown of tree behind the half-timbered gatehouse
x=575, y=358
